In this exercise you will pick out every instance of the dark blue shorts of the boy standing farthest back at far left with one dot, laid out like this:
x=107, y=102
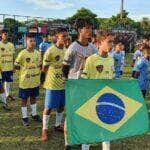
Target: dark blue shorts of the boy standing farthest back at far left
x=7, y=76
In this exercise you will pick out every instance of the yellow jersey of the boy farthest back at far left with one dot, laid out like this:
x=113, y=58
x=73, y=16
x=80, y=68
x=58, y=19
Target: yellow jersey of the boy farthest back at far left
x=7, y=51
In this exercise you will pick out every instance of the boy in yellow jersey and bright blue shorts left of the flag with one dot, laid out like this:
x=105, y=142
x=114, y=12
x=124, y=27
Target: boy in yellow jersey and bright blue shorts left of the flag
x=54, y=82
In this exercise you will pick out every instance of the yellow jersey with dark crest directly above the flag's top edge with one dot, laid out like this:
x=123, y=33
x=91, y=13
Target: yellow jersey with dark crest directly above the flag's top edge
x=97, y=67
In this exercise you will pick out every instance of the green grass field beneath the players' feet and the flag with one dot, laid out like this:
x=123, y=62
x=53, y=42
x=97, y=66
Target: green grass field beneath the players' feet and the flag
x=13, y=136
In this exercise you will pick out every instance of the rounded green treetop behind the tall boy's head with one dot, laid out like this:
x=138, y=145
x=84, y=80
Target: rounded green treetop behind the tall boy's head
x=83, y=13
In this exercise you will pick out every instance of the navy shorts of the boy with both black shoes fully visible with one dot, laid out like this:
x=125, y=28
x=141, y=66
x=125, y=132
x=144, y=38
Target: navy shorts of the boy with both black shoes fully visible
x=24, y=94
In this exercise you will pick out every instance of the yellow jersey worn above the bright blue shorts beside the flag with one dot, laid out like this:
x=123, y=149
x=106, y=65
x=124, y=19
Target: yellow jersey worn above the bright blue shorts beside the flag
x=53, y=58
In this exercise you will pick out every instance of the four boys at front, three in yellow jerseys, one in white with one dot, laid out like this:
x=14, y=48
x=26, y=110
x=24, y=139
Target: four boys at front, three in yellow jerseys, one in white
x=81, y=60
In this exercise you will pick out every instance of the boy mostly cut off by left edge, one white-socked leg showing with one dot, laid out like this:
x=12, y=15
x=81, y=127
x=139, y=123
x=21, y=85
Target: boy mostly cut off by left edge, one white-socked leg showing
x=2, y=92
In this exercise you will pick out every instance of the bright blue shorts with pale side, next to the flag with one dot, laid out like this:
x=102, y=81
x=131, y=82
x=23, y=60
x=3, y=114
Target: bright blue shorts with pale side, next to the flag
x=54, y=99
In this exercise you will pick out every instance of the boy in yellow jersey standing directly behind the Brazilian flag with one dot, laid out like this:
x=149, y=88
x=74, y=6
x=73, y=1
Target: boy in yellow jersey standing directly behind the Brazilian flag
x=101, y=65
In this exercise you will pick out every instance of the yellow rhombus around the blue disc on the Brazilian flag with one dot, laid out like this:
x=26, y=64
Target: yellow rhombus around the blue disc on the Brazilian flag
x=91, y=115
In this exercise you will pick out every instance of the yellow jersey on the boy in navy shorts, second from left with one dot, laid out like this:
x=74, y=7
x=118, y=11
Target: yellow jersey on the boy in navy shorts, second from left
x=30, y=69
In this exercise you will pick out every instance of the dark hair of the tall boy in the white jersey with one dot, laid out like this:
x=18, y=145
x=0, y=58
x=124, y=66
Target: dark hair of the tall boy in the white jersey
x=81, y=23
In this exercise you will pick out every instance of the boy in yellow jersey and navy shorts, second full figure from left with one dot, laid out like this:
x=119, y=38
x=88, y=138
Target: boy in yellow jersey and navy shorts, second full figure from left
x=29, y=64
